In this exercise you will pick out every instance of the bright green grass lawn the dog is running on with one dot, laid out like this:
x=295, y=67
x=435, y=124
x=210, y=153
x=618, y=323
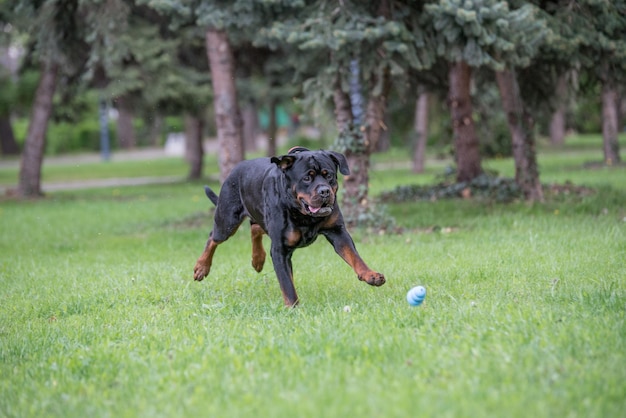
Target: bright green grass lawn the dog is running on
x=525, y=313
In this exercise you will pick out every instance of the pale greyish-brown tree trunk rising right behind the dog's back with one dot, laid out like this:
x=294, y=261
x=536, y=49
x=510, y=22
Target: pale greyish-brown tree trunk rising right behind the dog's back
x=227, y=114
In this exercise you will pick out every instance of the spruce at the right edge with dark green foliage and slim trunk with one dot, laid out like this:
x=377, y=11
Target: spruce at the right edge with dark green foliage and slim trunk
x=589, y=37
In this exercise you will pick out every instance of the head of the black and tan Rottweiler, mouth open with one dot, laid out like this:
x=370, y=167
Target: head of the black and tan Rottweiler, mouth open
x=312, y=178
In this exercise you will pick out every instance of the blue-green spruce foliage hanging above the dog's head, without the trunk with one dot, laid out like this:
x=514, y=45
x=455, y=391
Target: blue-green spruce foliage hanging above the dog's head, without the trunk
x=323, y=37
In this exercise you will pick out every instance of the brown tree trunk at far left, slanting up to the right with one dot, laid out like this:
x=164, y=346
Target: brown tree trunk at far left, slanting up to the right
x=35, y=144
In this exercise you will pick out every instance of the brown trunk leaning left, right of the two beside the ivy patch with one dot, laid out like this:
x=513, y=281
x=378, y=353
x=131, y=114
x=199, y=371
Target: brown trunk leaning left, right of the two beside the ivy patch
x=522, y=137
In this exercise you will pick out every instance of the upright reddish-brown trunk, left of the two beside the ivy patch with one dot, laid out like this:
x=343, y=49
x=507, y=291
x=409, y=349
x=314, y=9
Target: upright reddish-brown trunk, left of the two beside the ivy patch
x=465, y=140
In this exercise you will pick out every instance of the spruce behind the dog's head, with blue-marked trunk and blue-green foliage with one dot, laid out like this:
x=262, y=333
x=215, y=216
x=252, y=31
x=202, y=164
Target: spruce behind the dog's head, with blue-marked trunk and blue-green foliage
x=349, y=49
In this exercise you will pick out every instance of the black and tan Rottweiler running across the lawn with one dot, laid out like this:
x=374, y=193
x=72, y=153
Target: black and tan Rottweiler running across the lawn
x=292, y=199
